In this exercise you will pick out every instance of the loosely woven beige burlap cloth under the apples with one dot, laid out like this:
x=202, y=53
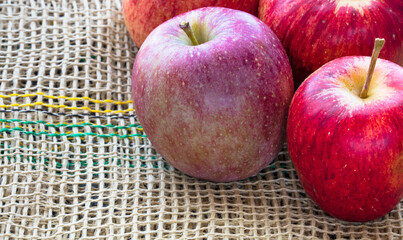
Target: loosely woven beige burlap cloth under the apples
x=75, y=162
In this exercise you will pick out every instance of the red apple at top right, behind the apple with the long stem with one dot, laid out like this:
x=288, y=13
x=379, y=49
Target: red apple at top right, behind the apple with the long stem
x=314, y=32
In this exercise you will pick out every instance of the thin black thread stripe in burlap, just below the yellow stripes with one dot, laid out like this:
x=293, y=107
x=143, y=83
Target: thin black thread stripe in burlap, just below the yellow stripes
x=112, y=116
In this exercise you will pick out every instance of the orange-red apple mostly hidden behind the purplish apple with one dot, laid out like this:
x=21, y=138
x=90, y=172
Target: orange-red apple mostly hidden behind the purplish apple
x=142, y=16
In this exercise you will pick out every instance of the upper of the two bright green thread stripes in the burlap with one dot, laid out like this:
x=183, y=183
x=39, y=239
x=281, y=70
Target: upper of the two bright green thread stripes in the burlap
x=137, y=126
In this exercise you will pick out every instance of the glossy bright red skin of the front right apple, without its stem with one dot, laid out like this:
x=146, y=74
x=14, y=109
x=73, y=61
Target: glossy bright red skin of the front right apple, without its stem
x=348, y=151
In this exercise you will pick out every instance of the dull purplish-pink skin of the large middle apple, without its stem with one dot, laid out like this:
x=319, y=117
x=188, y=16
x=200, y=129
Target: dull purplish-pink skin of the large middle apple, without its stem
x=215, y=111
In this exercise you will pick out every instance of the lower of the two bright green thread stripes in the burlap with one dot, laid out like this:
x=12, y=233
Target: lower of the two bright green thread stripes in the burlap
x=80, y=134
